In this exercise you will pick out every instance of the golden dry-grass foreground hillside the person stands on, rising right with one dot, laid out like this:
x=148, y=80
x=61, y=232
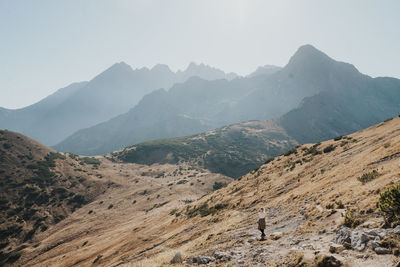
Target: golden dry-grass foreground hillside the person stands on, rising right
x=306, y=194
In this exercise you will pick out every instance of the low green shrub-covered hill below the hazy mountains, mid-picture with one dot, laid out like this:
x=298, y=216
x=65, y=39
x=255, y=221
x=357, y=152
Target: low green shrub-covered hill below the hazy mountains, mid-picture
x=232, y=150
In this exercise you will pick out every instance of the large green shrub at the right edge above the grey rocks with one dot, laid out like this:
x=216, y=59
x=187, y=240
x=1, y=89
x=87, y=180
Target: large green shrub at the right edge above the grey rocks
x=389, y=204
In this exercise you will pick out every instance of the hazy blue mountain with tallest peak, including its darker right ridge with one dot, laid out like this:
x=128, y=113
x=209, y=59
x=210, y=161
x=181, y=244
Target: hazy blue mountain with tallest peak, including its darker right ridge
x=314, y=98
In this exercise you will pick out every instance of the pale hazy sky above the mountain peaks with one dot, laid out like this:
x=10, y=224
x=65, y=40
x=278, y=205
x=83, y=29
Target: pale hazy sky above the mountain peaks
x=48, y=44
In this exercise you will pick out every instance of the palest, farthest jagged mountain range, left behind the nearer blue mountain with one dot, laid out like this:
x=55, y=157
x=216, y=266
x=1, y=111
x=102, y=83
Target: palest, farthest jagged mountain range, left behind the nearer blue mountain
x=81, y=105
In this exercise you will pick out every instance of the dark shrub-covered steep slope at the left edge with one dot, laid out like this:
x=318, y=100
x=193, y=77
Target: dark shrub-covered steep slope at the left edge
x=38, y=188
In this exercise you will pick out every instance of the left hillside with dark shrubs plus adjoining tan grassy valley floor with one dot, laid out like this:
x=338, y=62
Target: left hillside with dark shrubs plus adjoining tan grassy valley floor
x=45, y=195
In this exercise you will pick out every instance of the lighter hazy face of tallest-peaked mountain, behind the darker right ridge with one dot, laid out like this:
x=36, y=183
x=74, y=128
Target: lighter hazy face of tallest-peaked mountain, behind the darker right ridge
x=213, y=104
